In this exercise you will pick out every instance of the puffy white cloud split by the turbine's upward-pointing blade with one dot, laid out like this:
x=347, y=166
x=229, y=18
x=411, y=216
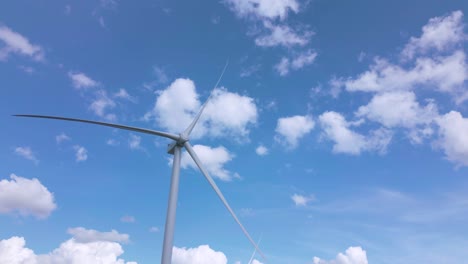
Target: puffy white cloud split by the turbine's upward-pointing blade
x=175, y=112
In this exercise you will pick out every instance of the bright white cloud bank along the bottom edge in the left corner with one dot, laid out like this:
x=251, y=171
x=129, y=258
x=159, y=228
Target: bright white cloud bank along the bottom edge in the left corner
x=14, y=251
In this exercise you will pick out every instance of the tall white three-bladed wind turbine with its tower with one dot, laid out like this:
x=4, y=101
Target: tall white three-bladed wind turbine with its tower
x=179, y=142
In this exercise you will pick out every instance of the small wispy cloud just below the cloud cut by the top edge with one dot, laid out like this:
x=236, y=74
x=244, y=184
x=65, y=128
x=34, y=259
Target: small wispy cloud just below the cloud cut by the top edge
x=282, y=35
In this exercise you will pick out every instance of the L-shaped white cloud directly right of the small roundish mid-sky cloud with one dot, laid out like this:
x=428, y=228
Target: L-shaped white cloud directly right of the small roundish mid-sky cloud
x=336, y=128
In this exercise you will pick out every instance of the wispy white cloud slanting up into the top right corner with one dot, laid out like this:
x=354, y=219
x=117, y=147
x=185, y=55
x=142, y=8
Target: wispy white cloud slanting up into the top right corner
x=441, y=33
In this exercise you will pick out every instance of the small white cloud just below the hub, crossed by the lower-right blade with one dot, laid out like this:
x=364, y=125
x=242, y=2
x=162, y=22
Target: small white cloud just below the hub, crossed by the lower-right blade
x=213, y=160
